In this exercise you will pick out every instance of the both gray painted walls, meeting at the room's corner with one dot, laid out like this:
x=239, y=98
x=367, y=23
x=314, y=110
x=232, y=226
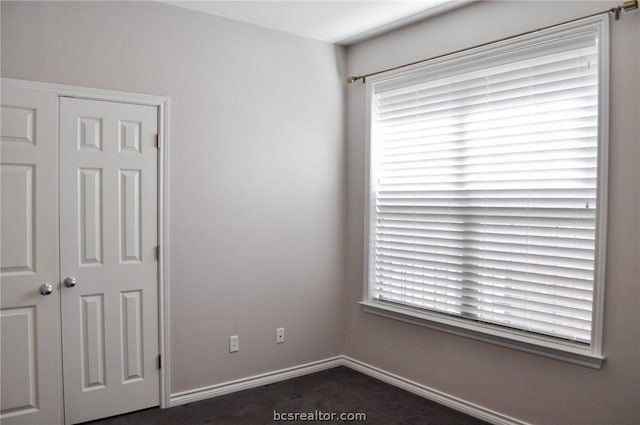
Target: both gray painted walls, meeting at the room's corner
x=258, y=200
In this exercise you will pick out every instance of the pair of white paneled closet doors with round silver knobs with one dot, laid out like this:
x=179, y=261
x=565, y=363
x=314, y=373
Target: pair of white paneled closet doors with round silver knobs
x=80, y=257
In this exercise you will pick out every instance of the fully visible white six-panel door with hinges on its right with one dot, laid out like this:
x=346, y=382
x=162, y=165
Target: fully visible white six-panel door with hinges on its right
x=108, y=239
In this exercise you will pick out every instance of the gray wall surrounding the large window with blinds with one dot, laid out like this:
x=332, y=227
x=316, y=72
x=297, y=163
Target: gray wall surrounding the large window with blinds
x=525, y=386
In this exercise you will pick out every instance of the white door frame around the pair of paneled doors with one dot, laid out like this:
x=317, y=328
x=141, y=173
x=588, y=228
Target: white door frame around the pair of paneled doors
x=162, y=103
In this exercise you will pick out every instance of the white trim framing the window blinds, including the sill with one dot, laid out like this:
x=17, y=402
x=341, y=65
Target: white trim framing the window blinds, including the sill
x=586, y=355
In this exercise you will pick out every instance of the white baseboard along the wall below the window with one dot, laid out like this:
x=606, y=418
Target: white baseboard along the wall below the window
x=432, y=394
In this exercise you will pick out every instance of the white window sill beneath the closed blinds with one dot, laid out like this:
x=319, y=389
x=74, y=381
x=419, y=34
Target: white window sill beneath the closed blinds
x=503, y=337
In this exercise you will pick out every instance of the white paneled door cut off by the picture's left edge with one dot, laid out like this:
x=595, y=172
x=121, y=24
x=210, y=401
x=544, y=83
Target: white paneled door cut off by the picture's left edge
x=29, y=317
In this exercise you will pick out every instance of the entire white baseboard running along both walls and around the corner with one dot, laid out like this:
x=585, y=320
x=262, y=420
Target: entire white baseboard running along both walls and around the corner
x=432, y=394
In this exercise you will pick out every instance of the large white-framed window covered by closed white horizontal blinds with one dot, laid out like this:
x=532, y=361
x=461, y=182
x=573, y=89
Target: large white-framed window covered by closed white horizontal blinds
x=486, y=207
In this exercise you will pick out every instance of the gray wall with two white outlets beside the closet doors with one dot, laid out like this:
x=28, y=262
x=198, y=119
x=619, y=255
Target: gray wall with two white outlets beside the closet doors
x=256, y=163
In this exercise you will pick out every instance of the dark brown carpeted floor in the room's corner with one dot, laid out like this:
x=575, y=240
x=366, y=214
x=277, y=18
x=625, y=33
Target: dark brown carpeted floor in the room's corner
x=339, y=390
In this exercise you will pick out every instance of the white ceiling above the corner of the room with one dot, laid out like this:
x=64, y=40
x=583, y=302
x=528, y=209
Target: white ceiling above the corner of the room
x=341, y=22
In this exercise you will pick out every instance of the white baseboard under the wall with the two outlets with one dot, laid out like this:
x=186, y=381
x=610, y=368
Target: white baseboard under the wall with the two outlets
x=254, y=381
